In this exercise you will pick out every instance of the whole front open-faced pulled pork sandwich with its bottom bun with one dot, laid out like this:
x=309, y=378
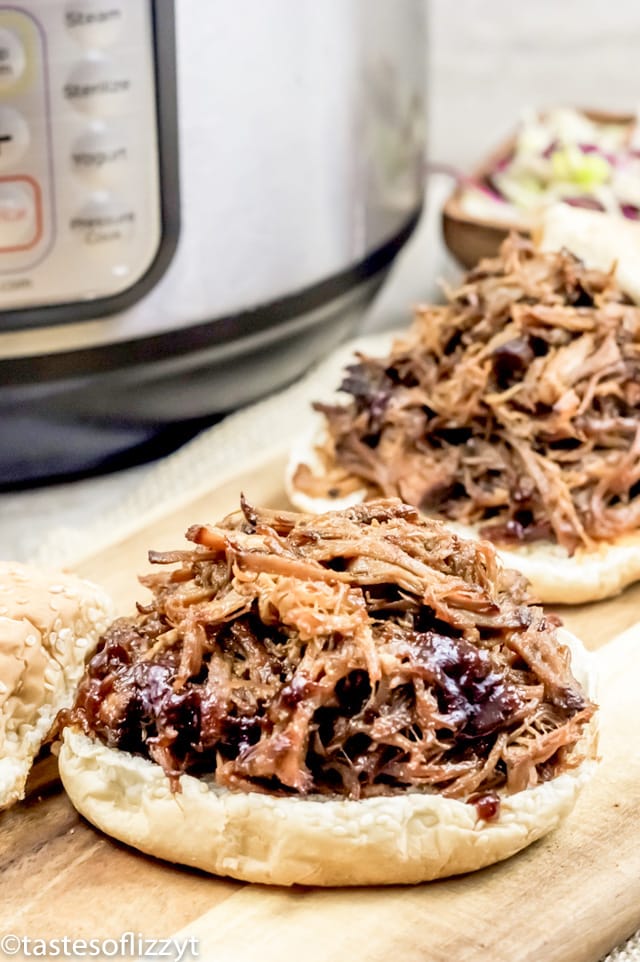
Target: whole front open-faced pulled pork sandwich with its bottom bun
x=357, y=698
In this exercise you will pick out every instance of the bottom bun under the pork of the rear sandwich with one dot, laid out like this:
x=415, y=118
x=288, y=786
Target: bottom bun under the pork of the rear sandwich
x=555, y=576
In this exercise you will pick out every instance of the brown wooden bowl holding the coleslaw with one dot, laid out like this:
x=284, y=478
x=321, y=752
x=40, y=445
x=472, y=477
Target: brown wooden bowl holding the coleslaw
x=471, y=238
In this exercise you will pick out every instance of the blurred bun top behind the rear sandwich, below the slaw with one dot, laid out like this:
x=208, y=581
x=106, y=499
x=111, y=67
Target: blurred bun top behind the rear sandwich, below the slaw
x=602, y=241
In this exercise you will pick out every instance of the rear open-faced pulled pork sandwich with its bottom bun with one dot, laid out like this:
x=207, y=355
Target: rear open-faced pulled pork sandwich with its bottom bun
x=511, y=412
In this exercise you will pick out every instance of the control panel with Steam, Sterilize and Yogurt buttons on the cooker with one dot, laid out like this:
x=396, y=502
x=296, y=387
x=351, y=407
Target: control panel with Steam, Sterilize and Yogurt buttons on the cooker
x=79, y=168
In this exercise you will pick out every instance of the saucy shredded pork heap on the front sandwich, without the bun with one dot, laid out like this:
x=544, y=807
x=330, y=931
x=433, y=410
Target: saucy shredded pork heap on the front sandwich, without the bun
x=358, y=653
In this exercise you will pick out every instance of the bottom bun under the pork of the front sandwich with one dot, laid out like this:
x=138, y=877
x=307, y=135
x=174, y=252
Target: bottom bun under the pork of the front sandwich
x=406, y=838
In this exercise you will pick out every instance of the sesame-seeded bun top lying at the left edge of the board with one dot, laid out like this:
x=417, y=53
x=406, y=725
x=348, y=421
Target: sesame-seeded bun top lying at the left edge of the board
x=49, y=624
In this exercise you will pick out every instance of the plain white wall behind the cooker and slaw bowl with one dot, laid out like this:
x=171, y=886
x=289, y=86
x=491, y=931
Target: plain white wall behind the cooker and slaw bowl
x=489, y=58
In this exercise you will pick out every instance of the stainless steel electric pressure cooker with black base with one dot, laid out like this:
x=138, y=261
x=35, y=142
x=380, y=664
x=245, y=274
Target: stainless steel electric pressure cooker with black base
x=197, y=198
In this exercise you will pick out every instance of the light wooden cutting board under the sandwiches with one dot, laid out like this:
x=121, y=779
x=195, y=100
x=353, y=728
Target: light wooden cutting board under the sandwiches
x=570, y=897
